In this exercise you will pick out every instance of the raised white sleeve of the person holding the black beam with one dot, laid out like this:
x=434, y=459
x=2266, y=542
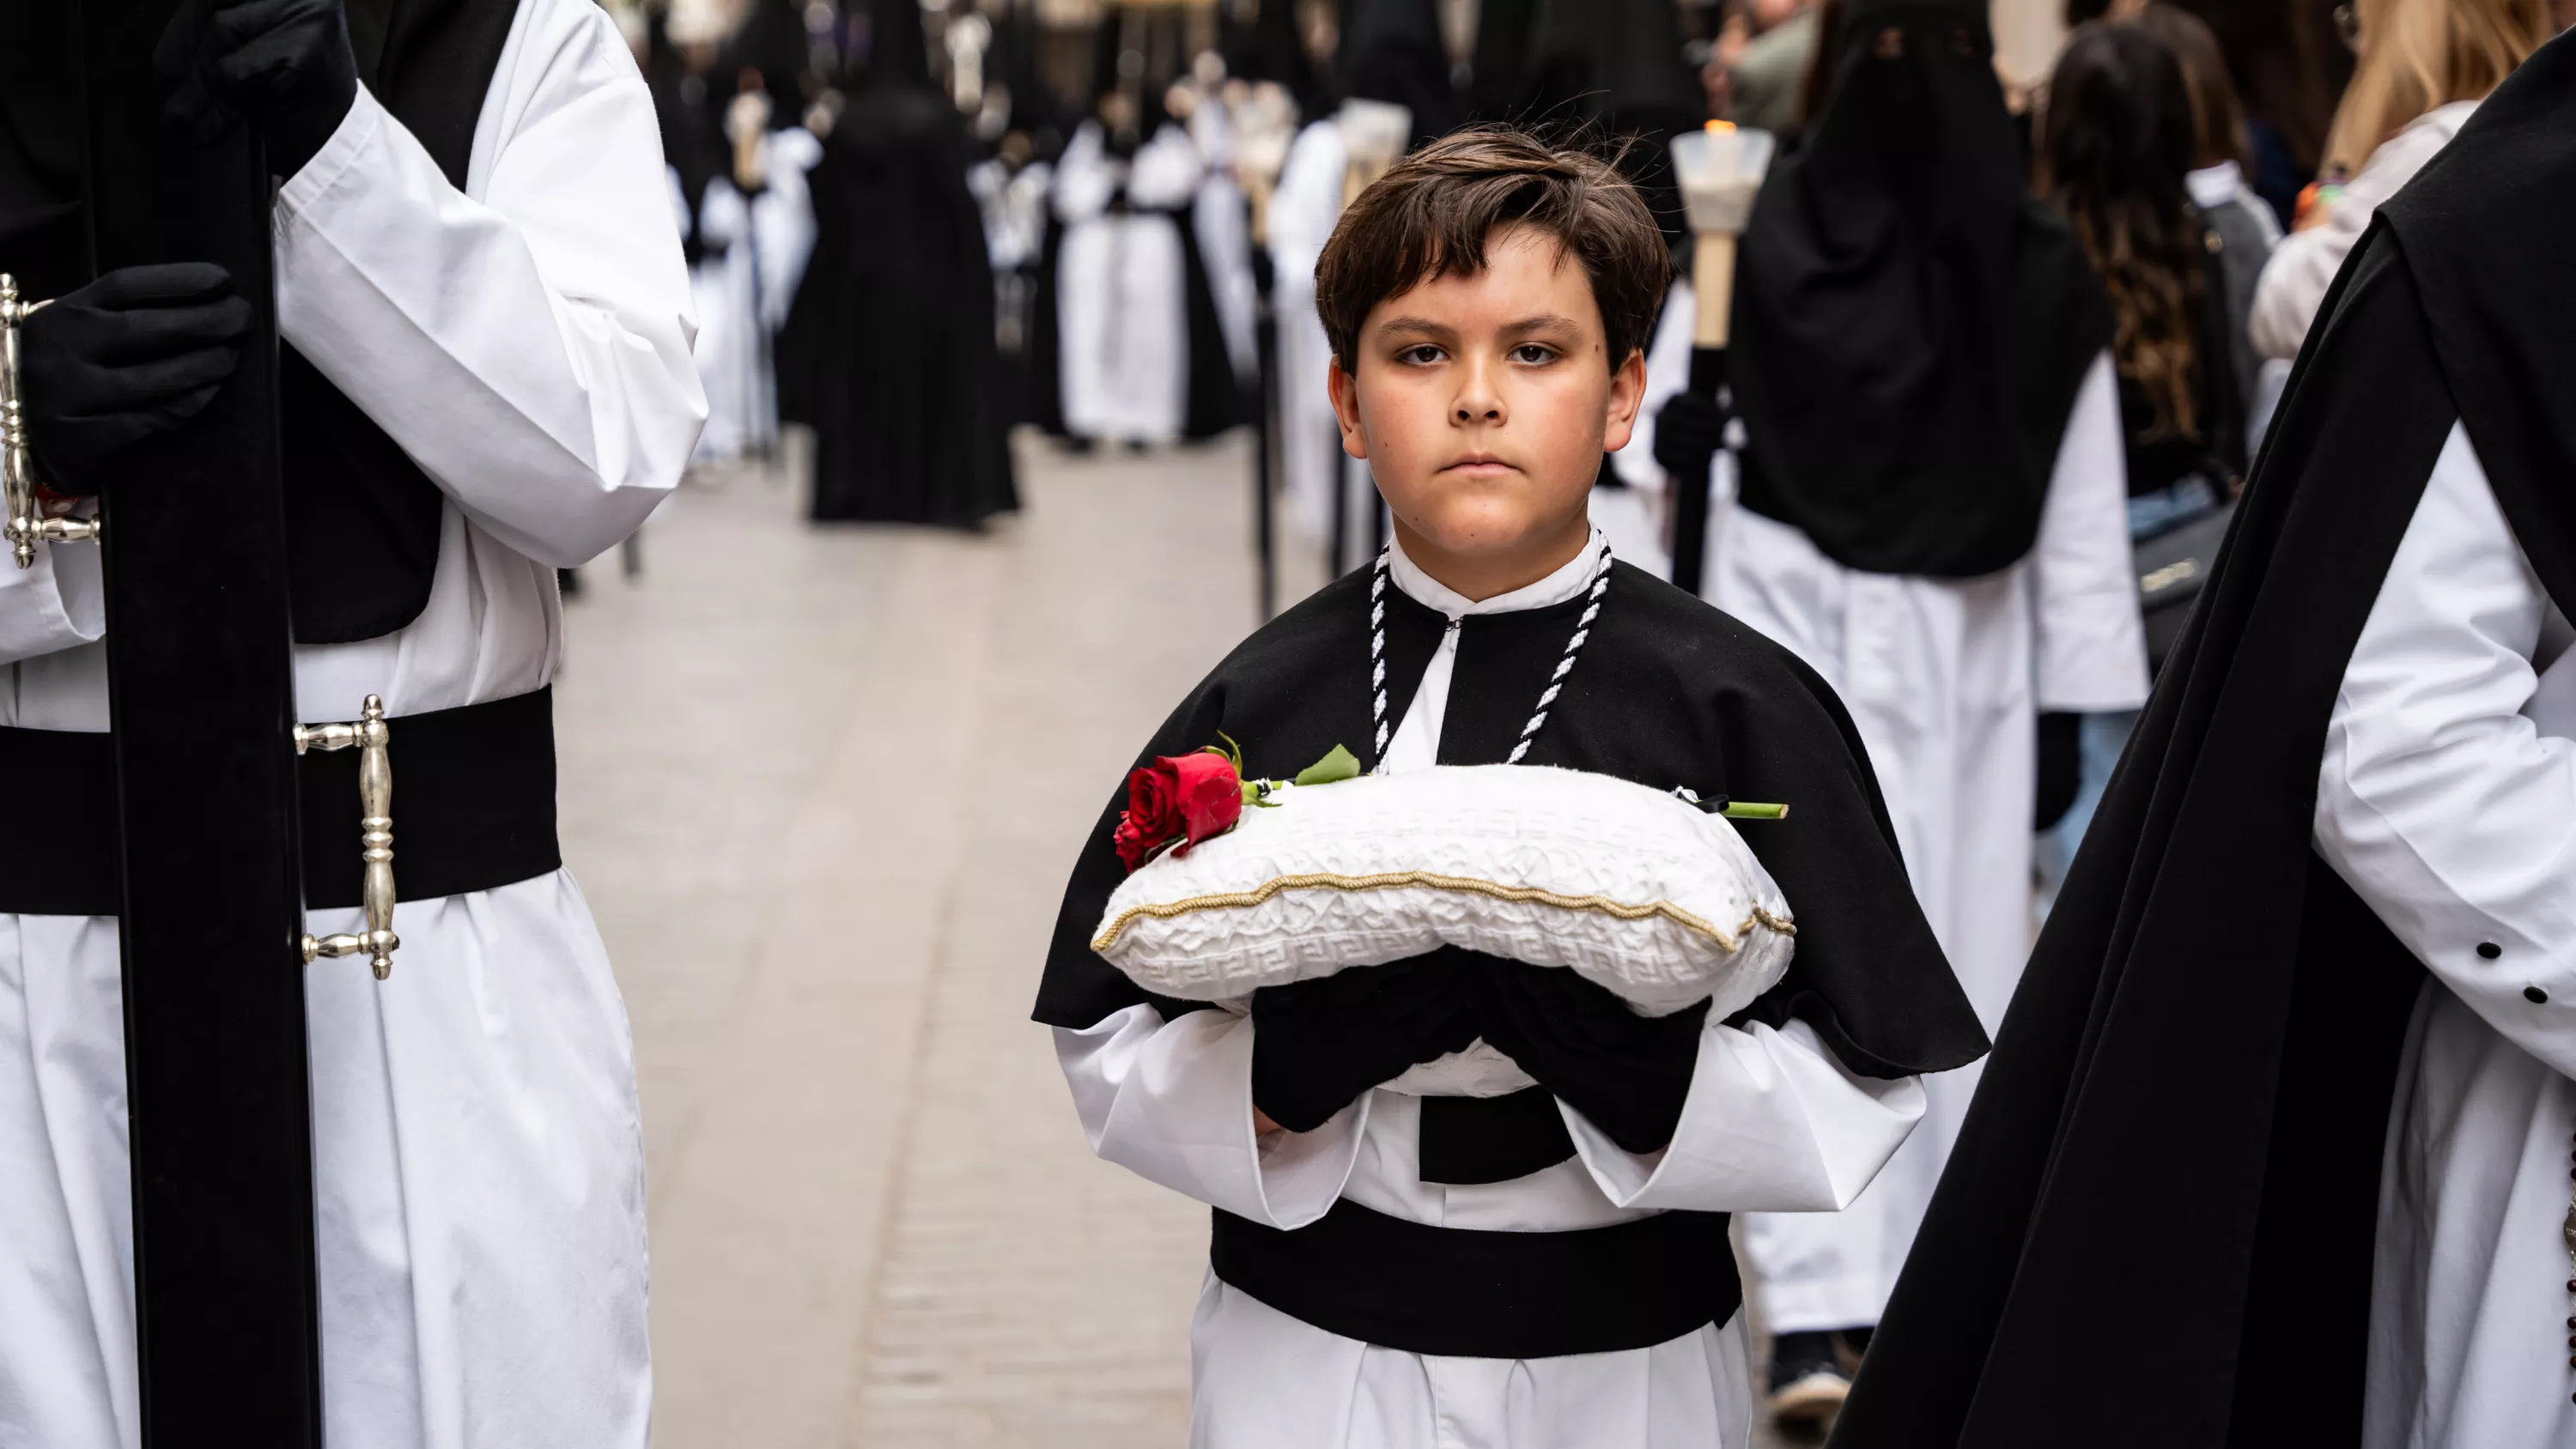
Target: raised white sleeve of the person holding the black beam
x=527, y=344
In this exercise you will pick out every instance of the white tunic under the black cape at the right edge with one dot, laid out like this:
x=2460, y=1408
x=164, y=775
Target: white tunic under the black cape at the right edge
x=2448, y=802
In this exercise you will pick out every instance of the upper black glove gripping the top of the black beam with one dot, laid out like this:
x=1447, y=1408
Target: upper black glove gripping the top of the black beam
x=282, y=60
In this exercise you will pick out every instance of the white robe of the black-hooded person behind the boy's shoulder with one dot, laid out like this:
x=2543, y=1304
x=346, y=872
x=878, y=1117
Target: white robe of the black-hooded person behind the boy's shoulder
x=1946, y=681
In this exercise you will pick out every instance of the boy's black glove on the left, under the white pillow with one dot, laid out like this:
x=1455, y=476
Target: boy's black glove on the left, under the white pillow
x=1320, y=1044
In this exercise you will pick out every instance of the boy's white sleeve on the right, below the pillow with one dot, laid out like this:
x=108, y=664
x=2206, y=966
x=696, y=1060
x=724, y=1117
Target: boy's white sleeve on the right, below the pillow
x=1774, y=1123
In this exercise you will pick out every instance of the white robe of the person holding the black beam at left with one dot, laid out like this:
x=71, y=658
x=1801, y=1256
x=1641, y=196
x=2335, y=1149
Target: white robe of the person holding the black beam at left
x=480, y=1221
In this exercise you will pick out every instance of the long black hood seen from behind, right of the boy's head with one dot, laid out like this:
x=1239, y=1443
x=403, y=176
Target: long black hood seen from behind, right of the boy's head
x=1910, y=323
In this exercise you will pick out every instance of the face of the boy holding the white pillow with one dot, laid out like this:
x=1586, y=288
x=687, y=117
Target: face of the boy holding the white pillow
x=1482, y=405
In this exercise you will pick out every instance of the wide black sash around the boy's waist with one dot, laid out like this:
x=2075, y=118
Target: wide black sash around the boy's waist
x=1488, y=1296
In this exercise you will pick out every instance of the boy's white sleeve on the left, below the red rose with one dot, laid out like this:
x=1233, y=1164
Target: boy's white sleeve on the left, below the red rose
x=1173, y=1105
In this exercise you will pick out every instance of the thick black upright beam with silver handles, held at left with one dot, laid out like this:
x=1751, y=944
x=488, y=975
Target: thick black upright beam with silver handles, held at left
x=205, y=740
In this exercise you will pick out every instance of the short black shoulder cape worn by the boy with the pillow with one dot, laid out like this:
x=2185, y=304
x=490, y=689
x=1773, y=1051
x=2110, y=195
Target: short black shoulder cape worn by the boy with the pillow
x=1668, y=694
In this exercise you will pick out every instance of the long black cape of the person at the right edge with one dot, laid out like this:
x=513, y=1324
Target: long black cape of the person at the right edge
x=2157, y=1226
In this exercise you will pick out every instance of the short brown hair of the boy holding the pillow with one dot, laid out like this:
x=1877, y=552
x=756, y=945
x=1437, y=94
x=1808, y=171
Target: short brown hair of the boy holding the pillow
x=1436, y=210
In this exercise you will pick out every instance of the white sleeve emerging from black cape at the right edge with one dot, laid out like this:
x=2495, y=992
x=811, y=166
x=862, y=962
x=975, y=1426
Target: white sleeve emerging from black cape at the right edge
x=2438, y=799
